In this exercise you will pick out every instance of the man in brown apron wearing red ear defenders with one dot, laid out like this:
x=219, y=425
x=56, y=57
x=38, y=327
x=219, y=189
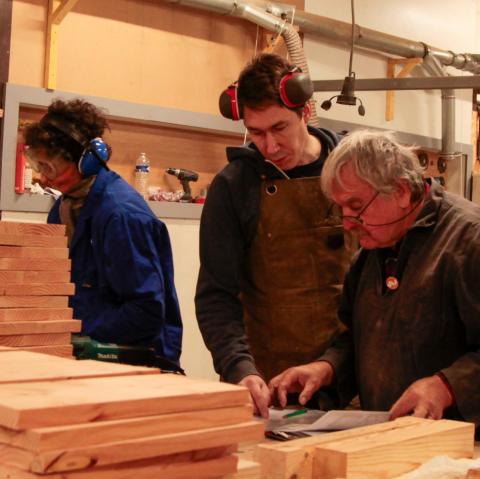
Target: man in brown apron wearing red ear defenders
x=272, y=257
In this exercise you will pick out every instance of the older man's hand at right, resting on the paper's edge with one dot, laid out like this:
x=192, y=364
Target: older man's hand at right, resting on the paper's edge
x=427, y=397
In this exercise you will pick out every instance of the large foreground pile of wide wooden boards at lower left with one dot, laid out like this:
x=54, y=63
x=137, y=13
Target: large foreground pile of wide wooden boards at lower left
x=67, y=419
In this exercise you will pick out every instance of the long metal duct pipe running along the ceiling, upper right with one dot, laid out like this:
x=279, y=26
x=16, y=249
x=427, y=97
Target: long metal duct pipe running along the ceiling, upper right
x=340, y=32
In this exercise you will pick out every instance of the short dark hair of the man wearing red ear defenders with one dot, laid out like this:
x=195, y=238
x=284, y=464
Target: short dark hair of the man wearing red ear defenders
x=259, y=82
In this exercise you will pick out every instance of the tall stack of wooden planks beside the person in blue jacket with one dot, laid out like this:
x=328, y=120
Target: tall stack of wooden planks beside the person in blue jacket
x=35, y=285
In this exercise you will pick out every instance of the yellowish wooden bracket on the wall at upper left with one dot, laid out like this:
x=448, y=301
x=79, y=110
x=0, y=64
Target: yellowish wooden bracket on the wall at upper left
x=57, y=11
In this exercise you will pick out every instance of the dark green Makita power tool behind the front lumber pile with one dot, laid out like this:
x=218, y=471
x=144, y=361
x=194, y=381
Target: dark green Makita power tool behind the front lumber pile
x=84, y=347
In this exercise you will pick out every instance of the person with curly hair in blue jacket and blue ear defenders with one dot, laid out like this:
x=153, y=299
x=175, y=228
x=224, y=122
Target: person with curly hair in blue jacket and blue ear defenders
x=121, y=255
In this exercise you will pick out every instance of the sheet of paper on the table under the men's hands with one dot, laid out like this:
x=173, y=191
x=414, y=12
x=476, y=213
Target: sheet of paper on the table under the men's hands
x=314, y=420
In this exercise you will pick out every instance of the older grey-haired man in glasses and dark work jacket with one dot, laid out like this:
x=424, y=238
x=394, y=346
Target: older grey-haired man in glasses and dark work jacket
x=411, y=300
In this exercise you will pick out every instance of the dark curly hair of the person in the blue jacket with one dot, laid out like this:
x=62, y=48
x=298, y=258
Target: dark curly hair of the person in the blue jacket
x=85, y=119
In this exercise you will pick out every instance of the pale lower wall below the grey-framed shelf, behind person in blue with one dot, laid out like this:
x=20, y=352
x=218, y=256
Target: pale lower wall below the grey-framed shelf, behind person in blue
x=196, y=360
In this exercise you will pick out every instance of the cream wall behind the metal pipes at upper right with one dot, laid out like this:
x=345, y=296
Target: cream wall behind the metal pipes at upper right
x=440, y=23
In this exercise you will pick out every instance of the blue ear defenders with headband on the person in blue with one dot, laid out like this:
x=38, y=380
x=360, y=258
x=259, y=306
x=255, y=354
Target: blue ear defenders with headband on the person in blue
x=95, y=152
